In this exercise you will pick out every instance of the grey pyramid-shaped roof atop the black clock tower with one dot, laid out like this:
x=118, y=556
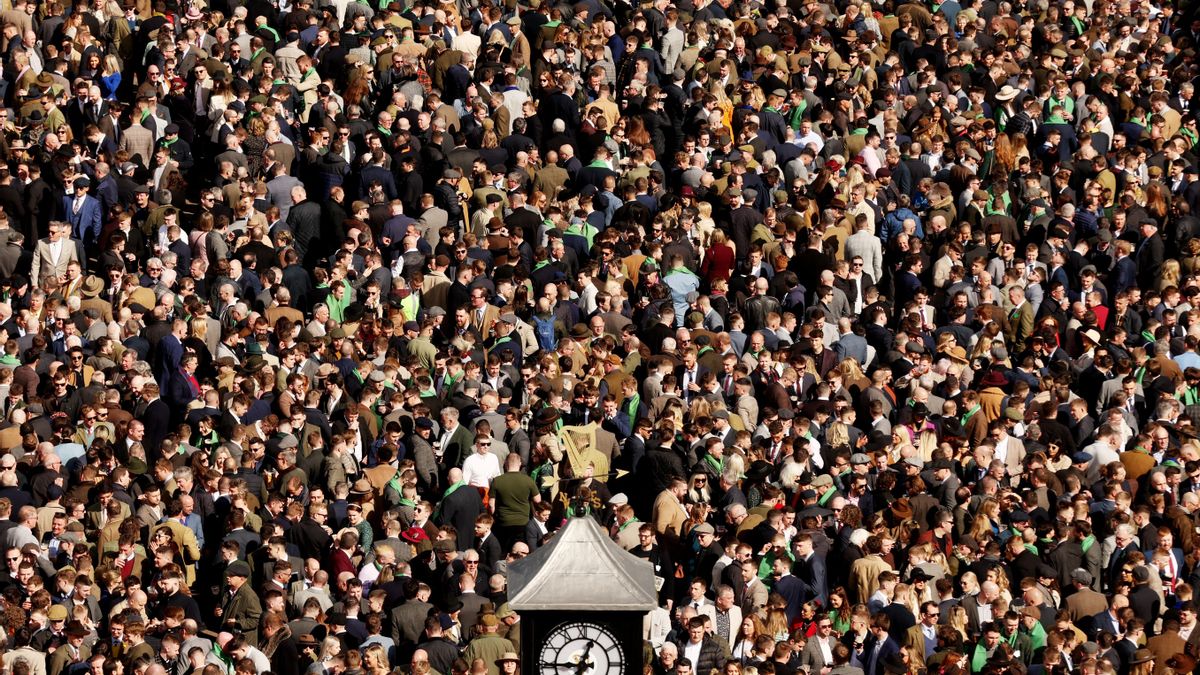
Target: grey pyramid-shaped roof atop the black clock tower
x=581, y=569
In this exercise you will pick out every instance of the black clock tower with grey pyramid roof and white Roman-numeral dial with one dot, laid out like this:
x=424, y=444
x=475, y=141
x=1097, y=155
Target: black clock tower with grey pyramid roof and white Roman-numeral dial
x=581, y=601
